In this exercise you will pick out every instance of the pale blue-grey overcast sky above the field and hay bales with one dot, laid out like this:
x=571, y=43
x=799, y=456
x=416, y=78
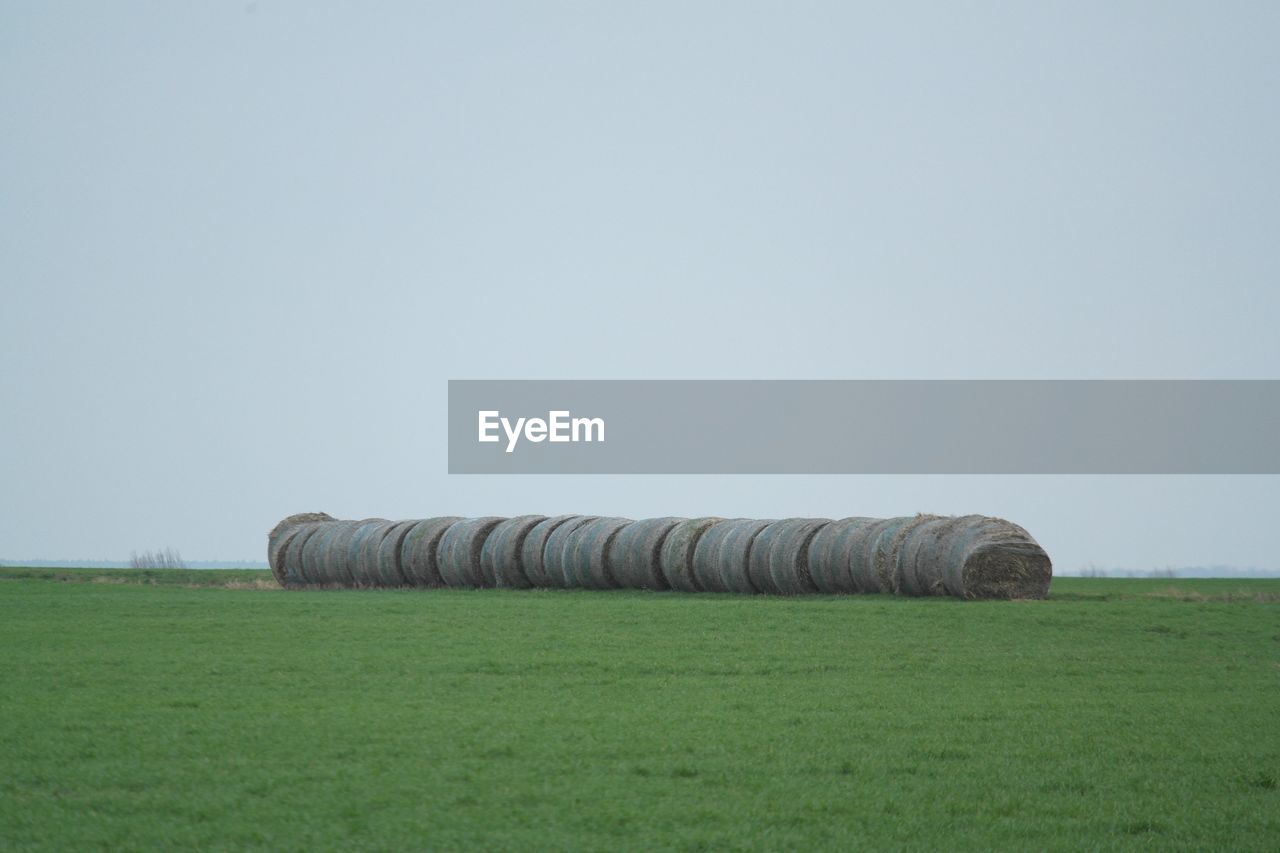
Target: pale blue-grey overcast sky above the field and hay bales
x=244, y=247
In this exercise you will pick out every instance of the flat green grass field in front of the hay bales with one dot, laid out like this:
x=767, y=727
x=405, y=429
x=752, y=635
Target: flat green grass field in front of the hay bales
x=207, y=710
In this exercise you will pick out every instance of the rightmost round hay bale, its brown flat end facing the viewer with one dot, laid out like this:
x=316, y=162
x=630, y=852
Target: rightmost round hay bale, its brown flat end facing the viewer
x=998, y=559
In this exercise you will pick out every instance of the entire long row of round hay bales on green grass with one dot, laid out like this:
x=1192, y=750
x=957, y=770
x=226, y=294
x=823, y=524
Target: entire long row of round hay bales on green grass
x=970, y=556
